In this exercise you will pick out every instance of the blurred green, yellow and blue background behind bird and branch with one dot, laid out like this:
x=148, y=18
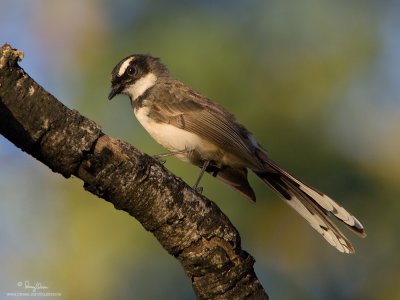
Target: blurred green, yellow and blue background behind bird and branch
x=317, y=82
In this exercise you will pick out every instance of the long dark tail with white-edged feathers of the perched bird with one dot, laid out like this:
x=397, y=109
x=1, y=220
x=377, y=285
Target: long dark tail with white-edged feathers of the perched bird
x=312, y=205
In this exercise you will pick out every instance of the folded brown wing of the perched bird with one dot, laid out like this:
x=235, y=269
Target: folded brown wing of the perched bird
x=188, y=110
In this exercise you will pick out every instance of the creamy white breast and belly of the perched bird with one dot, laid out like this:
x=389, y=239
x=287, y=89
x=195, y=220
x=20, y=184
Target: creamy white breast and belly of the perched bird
x=171, y=137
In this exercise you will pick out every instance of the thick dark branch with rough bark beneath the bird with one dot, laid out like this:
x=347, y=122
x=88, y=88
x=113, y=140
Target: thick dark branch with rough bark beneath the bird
x=188, y=225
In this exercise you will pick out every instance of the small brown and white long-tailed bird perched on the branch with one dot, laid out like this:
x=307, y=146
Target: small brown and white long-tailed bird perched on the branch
x=199, y=131
